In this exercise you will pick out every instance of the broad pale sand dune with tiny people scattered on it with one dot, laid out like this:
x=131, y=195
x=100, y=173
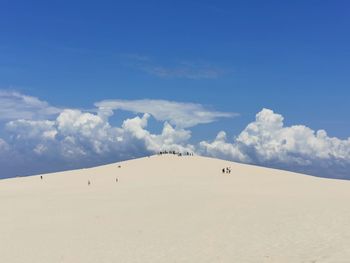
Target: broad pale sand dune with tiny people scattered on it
x=174, y=209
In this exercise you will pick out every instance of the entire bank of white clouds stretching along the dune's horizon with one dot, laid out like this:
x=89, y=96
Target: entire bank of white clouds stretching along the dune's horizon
x=37, y=137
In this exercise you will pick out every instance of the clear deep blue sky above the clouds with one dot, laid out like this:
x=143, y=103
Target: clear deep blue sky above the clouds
x=292, y=57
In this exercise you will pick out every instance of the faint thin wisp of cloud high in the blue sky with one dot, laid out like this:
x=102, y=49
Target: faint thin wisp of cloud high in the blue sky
x=177, y=69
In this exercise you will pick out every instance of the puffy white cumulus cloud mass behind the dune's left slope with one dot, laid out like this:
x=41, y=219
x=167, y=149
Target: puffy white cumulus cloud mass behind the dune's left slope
x=79, y=139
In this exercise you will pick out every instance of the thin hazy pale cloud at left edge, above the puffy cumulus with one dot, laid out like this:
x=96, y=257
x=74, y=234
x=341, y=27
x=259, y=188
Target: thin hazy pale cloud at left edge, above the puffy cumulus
x=15, y=105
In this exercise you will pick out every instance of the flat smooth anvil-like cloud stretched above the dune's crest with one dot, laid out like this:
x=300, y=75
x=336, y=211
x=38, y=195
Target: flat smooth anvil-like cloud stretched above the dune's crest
x=183, y=115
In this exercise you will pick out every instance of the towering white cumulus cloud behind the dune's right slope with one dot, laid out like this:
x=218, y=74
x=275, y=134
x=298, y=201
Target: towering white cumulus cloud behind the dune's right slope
x=266, y=141
